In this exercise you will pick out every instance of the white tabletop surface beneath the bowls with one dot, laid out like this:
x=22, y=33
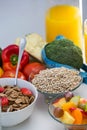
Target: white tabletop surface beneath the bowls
x=40, y=118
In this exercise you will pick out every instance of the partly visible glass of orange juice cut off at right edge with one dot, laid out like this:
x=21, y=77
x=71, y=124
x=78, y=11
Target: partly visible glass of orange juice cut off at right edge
x=85, y=39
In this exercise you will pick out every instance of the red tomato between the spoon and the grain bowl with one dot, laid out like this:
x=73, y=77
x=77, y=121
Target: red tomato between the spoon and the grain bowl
x=33, y=68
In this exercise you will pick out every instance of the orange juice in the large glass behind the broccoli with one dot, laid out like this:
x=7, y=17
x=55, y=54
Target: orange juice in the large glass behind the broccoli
x=64, y=20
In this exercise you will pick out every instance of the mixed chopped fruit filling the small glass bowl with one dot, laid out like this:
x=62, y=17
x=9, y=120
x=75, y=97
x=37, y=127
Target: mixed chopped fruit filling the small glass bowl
x=73, y=111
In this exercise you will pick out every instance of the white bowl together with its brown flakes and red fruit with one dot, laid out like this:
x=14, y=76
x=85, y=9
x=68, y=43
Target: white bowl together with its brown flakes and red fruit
x=17, y=102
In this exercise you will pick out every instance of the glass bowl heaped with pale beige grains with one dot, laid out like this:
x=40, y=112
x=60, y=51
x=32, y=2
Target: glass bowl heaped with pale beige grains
x=56, y=81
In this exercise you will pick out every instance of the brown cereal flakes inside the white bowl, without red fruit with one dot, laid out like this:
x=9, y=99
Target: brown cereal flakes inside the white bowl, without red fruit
x=17, y=100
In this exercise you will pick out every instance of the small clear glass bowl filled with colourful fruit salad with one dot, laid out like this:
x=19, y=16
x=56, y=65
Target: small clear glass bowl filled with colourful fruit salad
x=69, y=110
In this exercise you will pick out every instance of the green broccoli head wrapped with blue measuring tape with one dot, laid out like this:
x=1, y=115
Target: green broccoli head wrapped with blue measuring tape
x=65, y=52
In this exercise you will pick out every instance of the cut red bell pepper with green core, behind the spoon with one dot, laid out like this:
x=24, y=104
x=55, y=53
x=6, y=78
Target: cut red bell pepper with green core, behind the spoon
x=10, y=57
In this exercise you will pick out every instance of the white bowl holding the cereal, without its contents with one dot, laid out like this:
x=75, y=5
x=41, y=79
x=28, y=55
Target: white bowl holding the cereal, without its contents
x=13, y=118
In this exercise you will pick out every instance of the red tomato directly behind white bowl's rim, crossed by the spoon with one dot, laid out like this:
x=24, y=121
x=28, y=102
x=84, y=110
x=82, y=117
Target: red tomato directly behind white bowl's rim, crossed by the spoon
x=11, y=74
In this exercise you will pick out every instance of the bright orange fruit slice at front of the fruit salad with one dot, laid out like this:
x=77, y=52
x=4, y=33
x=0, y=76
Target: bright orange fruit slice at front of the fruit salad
x=77, y=114
